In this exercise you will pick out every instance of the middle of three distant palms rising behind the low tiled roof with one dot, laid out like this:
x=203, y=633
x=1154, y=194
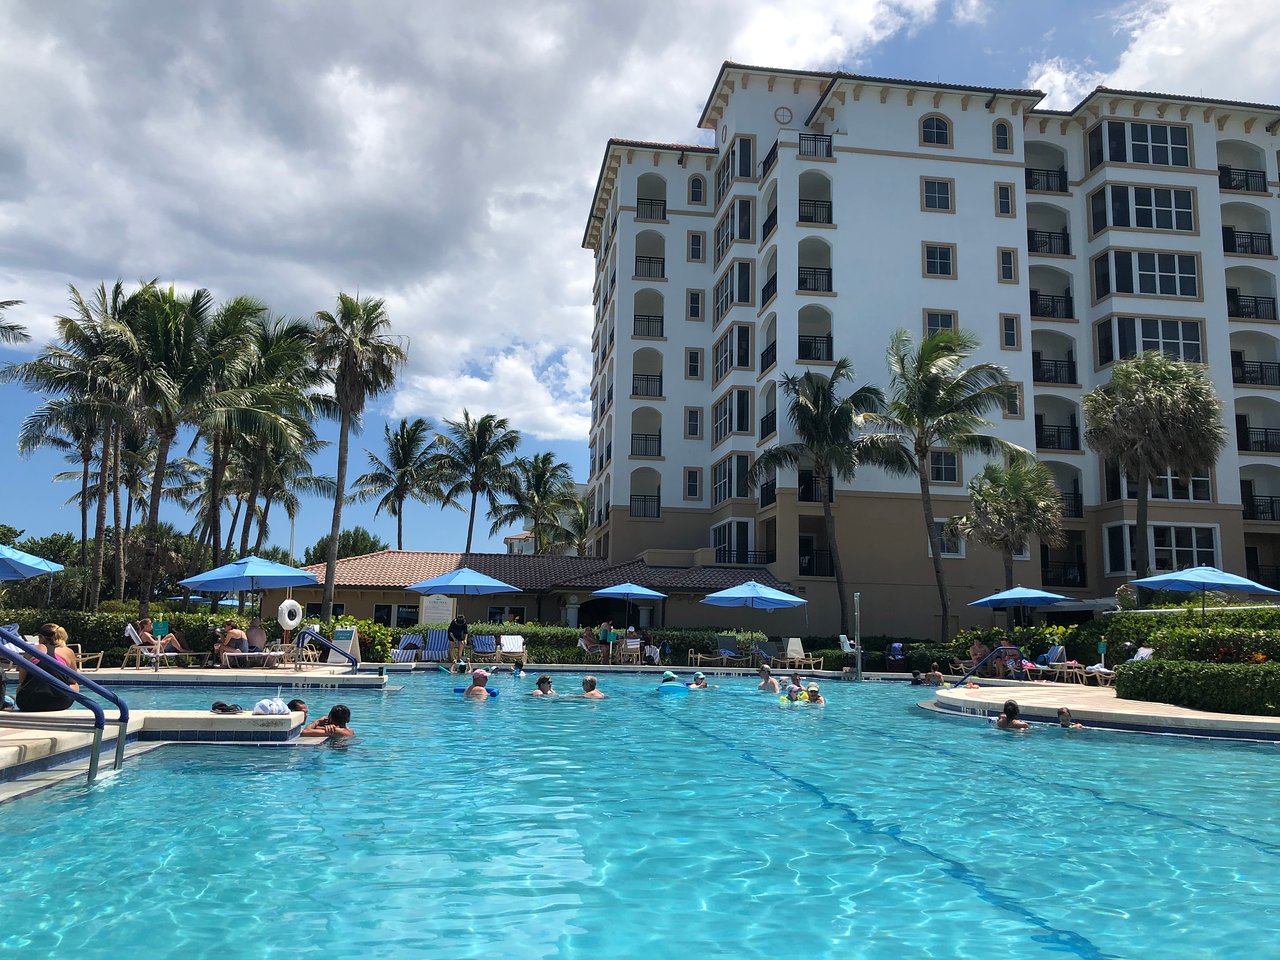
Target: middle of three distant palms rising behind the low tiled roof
x=476, y=458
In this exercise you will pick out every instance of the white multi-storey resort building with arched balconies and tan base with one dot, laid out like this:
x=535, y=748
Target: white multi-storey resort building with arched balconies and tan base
x=831, y=211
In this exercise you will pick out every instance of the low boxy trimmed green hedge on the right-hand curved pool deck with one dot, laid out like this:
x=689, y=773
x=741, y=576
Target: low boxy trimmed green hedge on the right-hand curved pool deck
x=1222, y=688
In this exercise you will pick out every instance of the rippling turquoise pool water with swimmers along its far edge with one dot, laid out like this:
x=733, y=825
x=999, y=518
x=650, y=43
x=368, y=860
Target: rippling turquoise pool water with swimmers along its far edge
x=641, y=826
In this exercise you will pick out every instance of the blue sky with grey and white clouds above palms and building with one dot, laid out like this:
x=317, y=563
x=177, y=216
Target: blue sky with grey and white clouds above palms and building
x=446, y=161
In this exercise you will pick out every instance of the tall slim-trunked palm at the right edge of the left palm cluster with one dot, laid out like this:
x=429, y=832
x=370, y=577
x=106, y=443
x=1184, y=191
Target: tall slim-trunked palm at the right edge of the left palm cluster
x=354, y=348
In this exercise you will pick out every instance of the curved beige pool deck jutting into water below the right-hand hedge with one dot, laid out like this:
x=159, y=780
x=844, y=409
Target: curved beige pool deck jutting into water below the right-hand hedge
x=1099, y=707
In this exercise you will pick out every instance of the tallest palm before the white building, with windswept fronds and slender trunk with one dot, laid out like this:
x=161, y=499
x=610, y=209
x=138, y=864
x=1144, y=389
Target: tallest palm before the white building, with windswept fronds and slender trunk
x=936, y=403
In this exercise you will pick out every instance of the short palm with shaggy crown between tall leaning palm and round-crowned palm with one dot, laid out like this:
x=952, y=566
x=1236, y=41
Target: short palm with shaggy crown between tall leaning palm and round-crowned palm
x=1009, y=506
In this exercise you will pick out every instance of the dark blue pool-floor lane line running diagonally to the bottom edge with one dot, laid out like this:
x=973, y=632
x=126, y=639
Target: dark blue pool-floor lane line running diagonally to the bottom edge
x=1063, y=939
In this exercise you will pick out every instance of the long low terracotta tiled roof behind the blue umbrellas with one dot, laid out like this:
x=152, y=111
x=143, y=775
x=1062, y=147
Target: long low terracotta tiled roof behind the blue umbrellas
x=399, y=569
